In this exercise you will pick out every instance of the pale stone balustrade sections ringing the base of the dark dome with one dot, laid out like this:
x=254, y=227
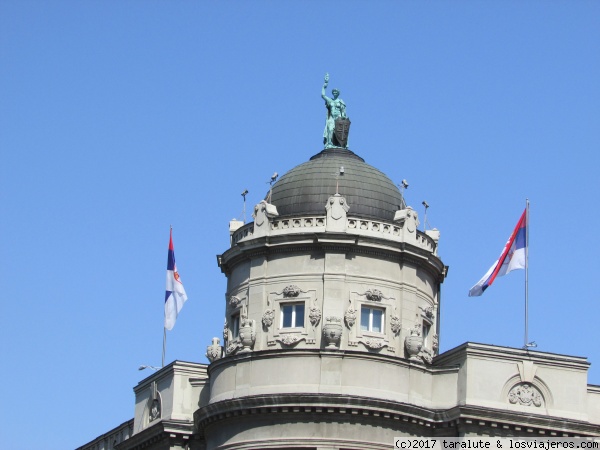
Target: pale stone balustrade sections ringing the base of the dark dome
x=355, y=226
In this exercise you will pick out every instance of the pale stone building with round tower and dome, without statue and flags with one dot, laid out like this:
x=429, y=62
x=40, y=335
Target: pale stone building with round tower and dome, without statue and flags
x=331, y=337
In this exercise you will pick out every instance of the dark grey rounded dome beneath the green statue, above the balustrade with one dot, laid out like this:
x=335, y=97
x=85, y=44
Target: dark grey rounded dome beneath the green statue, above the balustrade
x=305, y=189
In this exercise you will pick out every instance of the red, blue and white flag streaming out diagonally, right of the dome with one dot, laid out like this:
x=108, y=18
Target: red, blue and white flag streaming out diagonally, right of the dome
x=512, y=257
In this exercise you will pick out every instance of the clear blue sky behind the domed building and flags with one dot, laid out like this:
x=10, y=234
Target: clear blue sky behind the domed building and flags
x=118, y=119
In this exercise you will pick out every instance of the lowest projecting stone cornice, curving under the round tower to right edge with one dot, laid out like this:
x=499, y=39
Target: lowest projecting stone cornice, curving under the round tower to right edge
x=341, y=407
